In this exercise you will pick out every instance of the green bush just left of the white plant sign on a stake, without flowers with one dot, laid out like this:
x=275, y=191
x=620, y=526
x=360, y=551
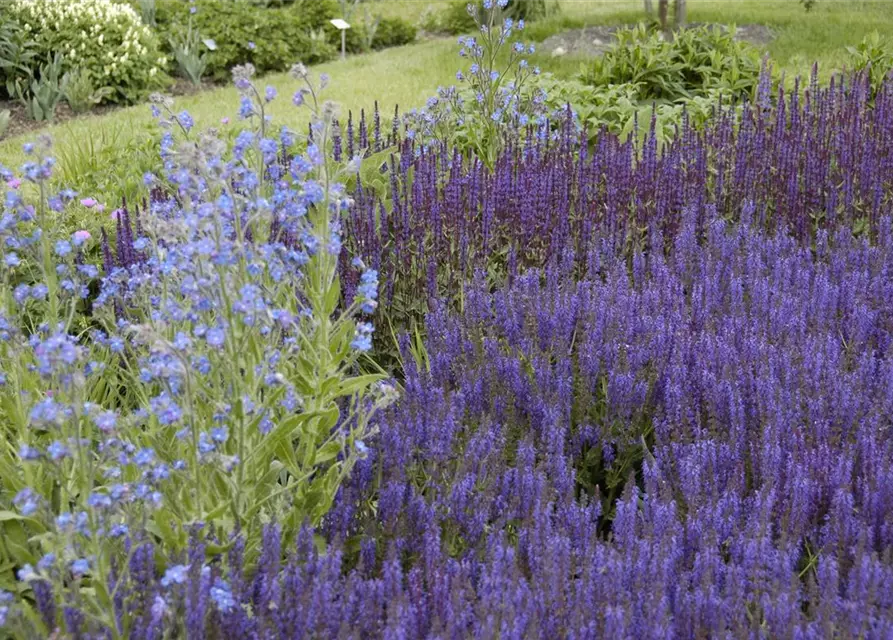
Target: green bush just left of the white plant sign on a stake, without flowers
x=269, y=39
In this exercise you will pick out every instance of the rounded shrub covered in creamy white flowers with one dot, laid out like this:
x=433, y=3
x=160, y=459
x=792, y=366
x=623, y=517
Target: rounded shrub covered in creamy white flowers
x=103, y=38
